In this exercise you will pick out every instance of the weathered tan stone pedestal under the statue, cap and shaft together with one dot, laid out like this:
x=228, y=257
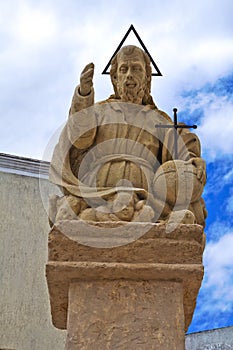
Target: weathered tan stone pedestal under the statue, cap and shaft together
x=140, y=295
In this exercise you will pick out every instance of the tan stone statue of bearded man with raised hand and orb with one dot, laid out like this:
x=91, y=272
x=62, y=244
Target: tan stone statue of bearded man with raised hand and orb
x=113, y=164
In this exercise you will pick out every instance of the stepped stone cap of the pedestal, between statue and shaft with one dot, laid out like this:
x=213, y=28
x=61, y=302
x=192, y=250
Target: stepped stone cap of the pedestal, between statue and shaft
x=157, y=256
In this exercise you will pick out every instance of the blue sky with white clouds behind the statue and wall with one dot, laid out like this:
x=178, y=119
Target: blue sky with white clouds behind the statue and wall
x=45, y=45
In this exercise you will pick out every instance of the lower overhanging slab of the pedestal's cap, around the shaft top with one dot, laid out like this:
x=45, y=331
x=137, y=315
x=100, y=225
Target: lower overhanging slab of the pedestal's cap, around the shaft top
x=61, y=274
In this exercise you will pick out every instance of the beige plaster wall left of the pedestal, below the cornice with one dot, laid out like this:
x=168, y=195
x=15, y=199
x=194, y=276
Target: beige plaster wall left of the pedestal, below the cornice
x=25, y=322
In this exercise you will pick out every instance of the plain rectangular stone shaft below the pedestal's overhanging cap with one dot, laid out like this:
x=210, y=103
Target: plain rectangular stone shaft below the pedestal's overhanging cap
x=123, y=314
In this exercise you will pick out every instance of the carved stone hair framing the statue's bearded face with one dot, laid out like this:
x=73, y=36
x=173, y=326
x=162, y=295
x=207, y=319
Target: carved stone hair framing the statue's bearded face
x=128, y=50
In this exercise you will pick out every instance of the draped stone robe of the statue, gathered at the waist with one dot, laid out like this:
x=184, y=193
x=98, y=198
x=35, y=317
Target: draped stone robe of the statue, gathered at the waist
x=111, y=141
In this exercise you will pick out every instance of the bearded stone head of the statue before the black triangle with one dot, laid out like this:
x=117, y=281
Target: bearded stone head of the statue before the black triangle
x=131, y=75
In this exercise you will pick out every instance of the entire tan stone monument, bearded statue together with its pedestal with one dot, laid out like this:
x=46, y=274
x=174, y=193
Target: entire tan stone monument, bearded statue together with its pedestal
x=115, y=279
